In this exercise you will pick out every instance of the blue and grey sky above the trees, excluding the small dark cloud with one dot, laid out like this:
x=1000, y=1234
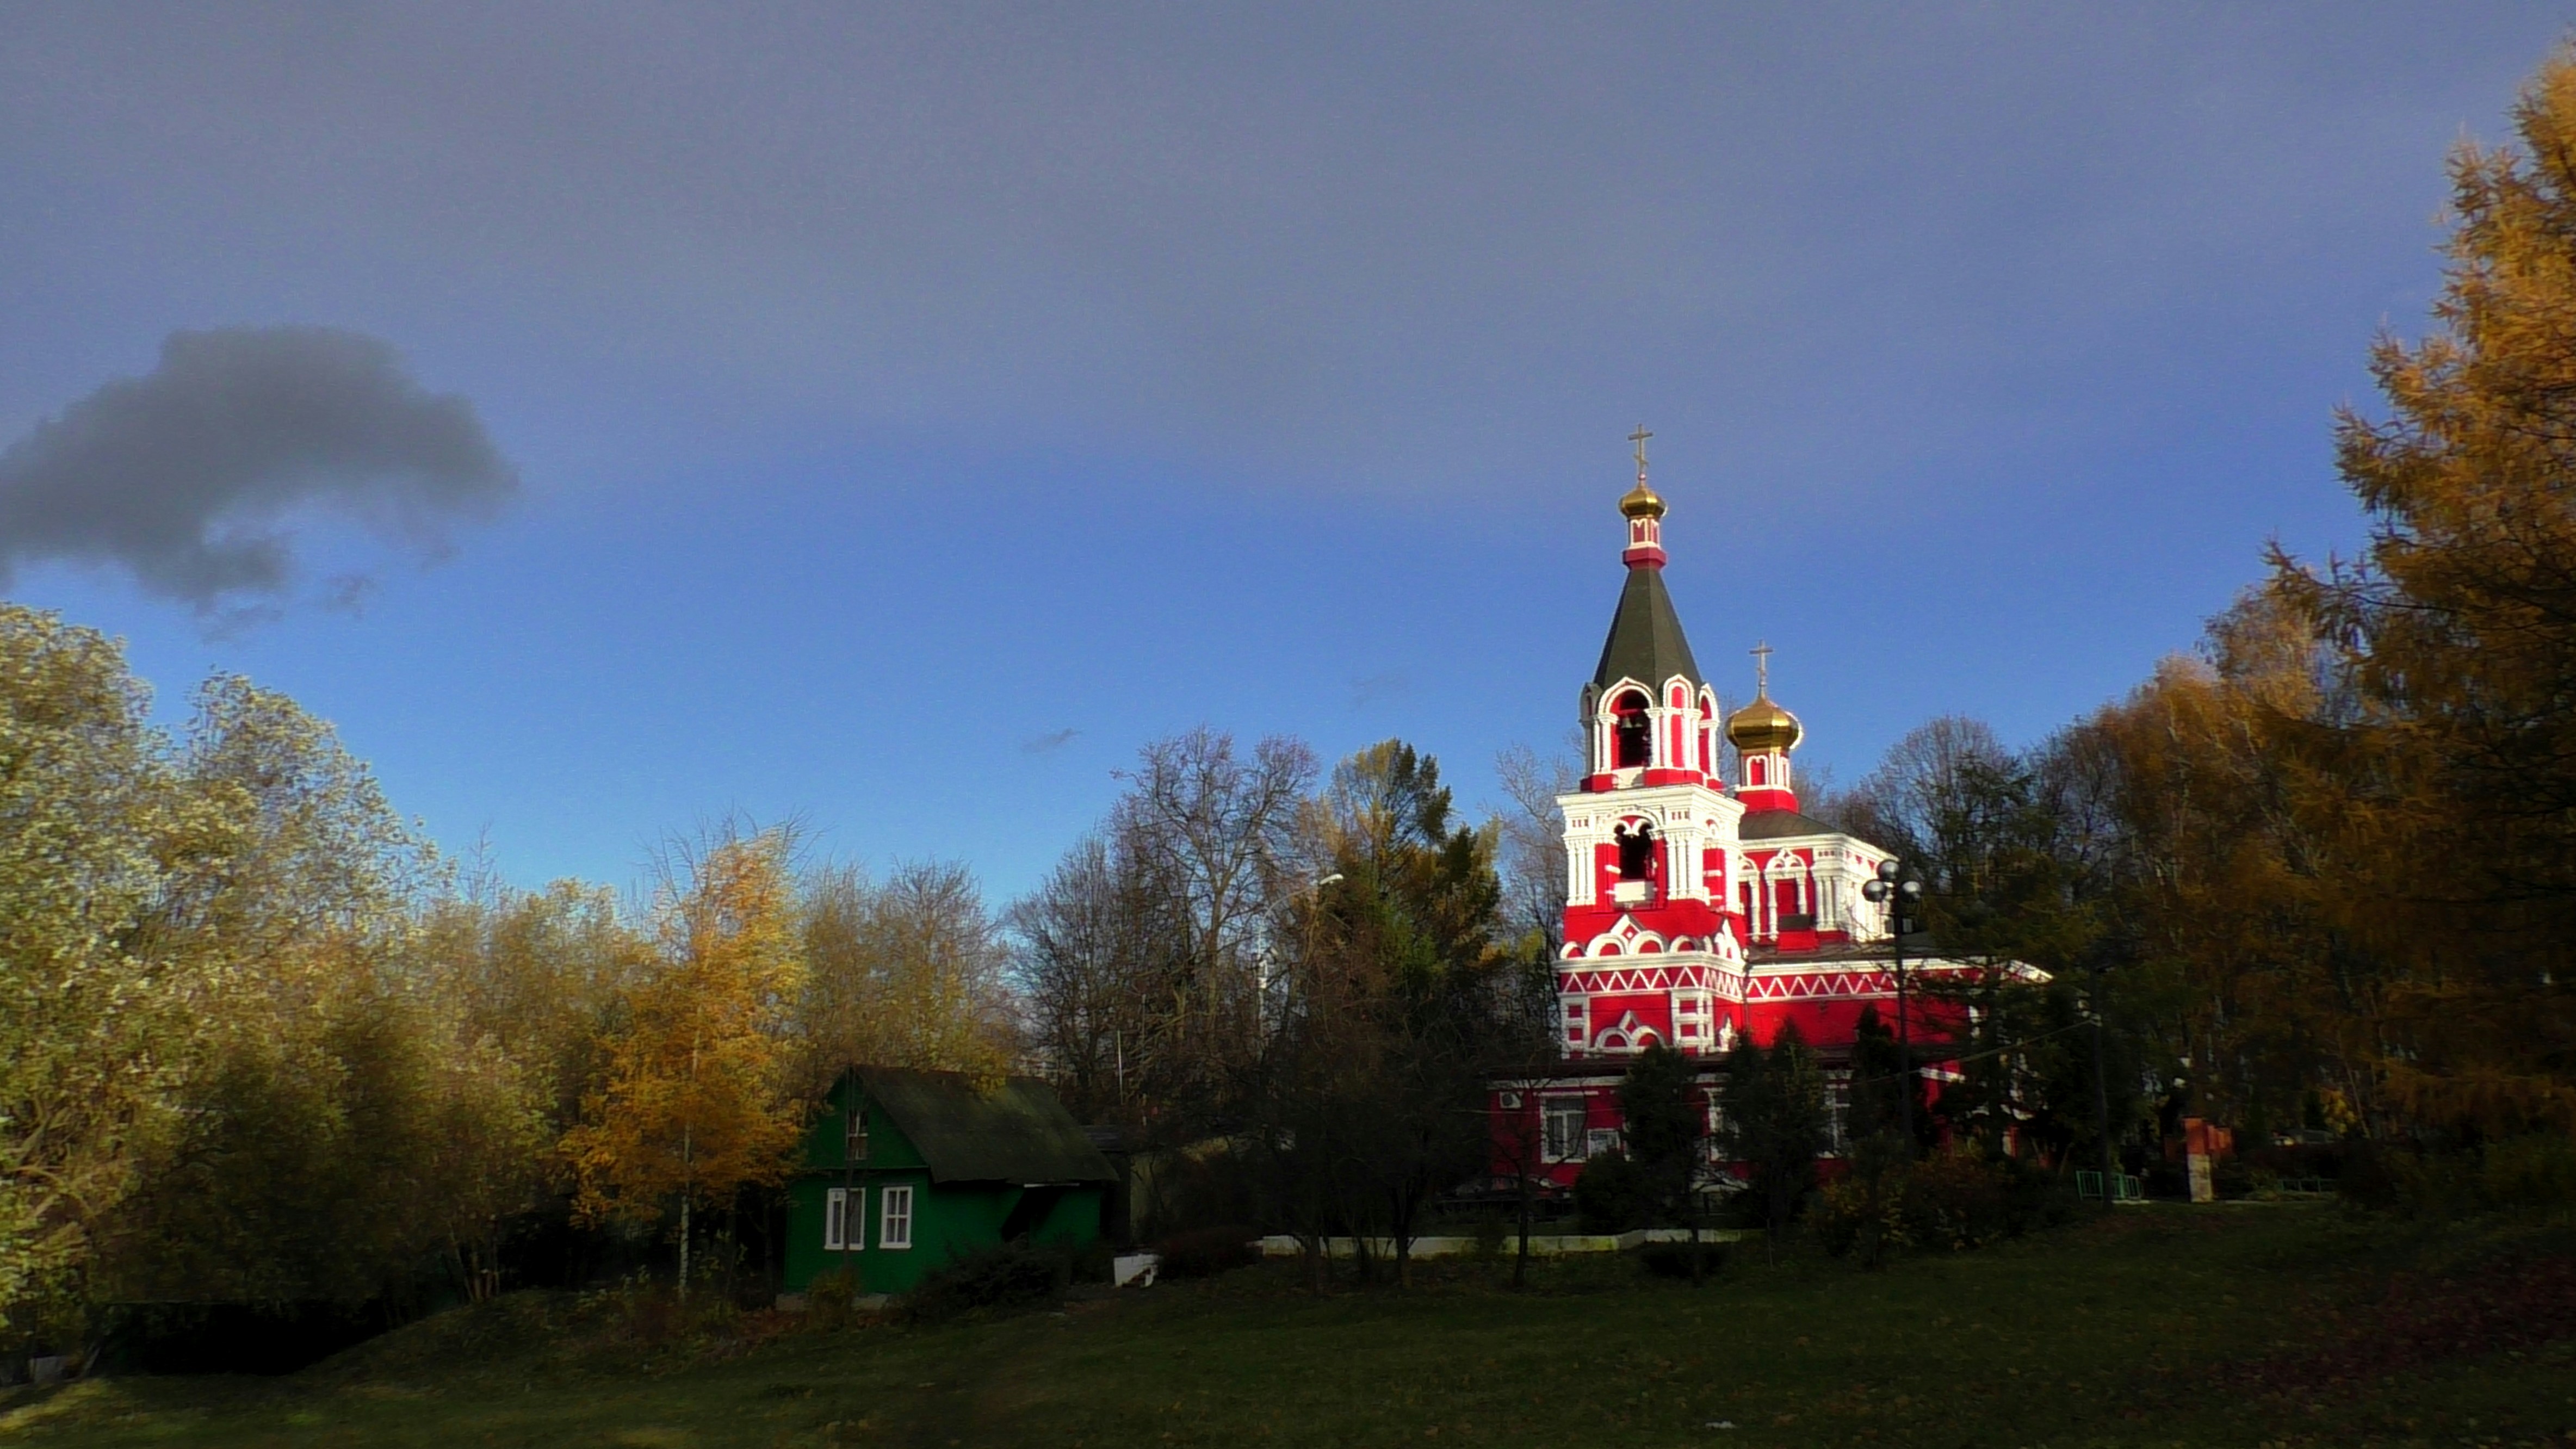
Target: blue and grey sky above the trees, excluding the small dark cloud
x=918, y=409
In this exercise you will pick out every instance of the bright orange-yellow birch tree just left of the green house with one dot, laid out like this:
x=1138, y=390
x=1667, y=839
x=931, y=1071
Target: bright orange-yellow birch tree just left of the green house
x=694, y=1100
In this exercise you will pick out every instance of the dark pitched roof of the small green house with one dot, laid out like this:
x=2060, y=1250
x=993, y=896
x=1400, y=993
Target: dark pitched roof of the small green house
x=1011, y=1133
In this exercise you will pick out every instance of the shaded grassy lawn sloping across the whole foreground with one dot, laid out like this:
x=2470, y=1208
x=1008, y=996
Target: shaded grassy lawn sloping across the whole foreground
x=2163, y=1327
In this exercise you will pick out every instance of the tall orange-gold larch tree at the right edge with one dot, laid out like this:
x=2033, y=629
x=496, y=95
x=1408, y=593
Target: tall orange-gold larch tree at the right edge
x=2448, y=749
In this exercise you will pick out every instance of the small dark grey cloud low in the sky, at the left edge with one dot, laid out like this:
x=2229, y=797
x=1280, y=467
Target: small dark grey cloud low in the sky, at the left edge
x=194, y=473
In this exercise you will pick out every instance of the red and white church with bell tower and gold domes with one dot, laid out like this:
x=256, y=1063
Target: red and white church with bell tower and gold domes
x=1699, y=914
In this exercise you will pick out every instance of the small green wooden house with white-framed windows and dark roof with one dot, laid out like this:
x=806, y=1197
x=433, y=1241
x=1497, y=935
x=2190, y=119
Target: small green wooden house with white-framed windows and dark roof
x=908, y=1172
